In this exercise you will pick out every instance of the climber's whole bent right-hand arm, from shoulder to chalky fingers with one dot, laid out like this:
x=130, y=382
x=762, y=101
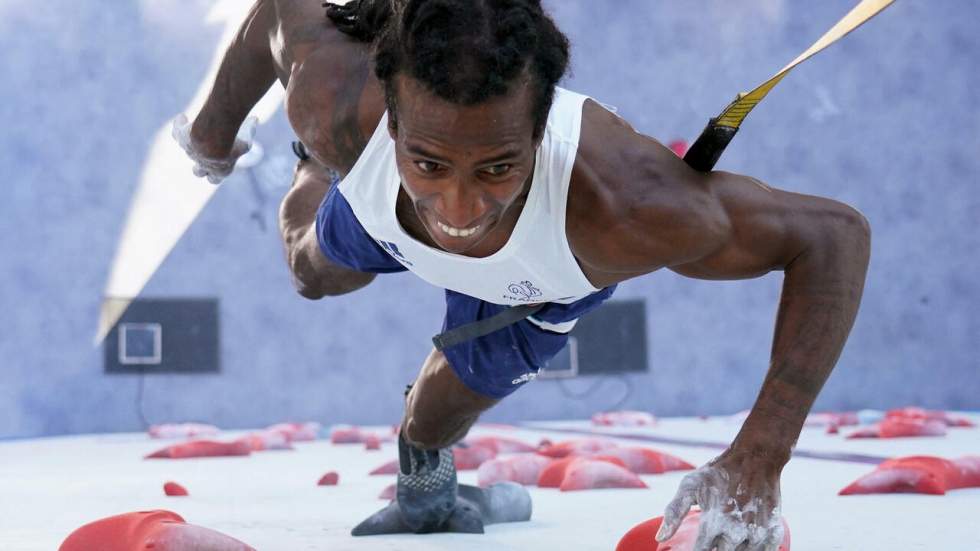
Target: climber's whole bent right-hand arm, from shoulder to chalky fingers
x=635, y=207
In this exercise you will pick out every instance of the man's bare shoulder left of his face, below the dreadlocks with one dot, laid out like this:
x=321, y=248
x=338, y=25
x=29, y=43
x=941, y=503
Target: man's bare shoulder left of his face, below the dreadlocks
x=333, y=100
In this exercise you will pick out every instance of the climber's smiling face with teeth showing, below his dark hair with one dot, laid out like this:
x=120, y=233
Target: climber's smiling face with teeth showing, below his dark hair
x=463, y=166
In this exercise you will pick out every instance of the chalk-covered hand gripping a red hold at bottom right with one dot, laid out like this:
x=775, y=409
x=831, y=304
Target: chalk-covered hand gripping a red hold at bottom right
x=739, y=500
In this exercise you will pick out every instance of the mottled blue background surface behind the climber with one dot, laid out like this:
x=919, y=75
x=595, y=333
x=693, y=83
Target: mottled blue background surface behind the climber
x=885, y=121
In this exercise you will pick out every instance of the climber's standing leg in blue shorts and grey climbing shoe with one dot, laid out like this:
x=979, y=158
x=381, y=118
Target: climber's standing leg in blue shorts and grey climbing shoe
x=453, y=388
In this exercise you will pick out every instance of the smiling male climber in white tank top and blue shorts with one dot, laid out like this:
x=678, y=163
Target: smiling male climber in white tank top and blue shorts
x=434, y=139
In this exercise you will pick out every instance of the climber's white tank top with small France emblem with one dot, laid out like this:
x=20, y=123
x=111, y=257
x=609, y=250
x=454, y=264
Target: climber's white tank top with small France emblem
x=535, y=265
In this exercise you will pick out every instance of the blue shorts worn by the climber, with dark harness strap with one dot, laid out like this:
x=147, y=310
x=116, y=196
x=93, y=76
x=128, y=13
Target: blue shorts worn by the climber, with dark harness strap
x=494, y=365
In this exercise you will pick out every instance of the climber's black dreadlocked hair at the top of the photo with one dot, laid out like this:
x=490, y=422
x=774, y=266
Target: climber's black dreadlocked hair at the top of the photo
x=463, y=51
